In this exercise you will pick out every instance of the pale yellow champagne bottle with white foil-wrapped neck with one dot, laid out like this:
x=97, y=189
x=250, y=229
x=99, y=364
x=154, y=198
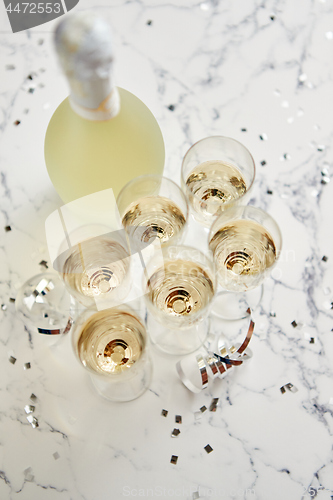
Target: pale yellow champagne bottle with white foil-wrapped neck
x=101, y=136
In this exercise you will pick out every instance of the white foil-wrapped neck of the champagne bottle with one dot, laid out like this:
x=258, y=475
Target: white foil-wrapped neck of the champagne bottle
x=84, y=46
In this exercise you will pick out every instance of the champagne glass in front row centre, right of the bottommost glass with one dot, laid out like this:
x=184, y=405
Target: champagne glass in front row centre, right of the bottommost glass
x=179, y=286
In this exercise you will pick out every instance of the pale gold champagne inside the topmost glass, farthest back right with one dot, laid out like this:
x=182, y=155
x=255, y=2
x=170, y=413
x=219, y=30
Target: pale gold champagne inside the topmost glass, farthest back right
x=212, y=184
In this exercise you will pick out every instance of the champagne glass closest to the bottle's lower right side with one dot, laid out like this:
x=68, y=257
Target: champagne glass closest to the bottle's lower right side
x=153, y=207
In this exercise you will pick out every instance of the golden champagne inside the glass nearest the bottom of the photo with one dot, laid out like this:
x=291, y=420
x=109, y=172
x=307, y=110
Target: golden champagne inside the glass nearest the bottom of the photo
x=111, y=341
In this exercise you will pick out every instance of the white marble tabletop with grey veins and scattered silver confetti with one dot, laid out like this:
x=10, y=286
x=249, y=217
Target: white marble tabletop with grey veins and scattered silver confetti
x=224, y=65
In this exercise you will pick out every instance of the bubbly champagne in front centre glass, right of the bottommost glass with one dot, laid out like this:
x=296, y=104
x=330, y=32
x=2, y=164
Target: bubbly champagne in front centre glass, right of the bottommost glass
x=180, y=289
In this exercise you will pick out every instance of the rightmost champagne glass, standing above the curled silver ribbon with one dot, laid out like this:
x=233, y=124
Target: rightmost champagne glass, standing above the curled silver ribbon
x=246, y=243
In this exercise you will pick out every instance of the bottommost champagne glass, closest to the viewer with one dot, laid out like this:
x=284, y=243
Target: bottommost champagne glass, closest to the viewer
x=112, y=345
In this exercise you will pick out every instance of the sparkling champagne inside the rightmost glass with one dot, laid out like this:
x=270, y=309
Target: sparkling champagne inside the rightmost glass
x=243, y=251
